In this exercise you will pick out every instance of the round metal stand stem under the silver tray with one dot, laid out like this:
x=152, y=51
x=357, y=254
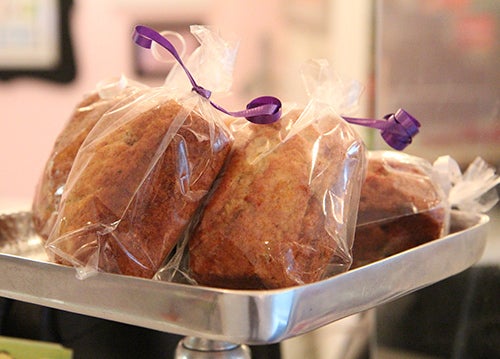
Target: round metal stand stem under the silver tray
x=198, y=348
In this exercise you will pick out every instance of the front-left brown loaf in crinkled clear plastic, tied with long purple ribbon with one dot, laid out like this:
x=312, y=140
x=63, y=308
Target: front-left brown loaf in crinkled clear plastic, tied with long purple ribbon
x=137, y=180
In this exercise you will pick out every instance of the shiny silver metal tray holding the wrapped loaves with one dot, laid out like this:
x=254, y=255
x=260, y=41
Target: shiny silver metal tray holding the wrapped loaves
x=238, y=316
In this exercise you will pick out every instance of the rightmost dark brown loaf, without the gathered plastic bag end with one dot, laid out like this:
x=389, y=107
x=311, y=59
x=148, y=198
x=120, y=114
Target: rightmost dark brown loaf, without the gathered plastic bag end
x=401, y=207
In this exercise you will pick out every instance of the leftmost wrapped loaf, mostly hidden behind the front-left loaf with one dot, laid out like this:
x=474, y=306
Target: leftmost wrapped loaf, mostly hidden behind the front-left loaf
x=55, y=174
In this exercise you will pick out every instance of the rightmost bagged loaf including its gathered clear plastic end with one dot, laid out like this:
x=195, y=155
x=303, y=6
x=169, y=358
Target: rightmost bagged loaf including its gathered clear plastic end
x=406, y=201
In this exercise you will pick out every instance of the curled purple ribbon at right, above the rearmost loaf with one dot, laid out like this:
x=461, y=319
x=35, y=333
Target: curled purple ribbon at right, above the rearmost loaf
x=397, y=129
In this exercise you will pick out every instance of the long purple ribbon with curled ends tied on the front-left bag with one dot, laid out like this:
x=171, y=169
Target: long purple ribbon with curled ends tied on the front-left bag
x=262, y=110
